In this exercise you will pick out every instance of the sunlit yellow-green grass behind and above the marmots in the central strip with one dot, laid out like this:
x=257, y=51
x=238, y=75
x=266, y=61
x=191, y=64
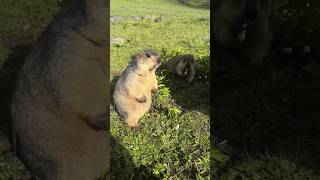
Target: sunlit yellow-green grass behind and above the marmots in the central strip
x=182, y=28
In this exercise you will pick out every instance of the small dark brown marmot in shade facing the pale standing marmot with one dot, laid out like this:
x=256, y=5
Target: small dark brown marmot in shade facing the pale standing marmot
x=183, y=66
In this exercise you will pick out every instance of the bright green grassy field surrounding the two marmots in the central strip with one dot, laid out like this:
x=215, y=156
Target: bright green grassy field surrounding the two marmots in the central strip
x=173, y=140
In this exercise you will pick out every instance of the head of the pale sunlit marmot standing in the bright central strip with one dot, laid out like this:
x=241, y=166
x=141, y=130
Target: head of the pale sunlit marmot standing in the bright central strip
x=147, y=60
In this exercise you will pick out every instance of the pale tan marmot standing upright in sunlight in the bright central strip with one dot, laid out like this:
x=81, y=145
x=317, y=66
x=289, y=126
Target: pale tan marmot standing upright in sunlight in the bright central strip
x=132, y=94
